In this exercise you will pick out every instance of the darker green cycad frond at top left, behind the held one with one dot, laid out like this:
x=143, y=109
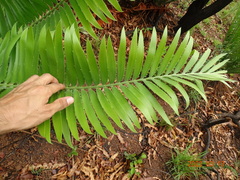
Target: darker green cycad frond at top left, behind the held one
x=41, y=12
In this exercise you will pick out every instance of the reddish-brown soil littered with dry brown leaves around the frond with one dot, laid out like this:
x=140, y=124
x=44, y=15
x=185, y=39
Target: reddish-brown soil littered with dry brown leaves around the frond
x=26, y=155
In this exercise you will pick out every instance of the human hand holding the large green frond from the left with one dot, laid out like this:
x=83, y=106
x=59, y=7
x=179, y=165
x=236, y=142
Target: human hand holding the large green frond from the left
x=27, y=105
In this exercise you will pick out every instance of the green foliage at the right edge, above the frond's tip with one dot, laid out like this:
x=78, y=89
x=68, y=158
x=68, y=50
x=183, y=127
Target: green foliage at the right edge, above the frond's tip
x=232, y=44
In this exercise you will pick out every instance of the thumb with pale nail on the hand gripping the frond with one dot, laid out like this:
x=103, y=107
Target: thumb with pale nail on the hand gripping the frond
x=59, y=105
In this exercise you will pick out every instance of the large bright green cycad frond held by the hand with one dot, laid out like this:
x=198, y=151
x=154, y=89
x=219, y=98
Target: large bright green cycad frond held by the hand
x=105, y=84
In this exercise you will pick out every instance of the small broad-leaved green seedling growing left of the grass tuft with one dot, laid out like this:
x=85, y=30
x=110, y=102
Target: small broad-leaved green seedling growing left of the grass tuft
x=135, y=161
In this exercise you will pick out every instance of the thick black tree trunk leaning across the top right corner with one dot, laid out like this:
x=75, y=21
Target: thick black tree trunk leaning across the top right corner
x=196, y=13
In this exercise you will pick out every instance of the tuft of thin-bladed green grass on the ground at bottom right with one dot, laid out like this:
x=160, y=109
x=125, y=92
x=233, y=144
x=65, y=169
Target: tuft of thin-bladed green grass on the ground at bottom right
x=180, y=164
